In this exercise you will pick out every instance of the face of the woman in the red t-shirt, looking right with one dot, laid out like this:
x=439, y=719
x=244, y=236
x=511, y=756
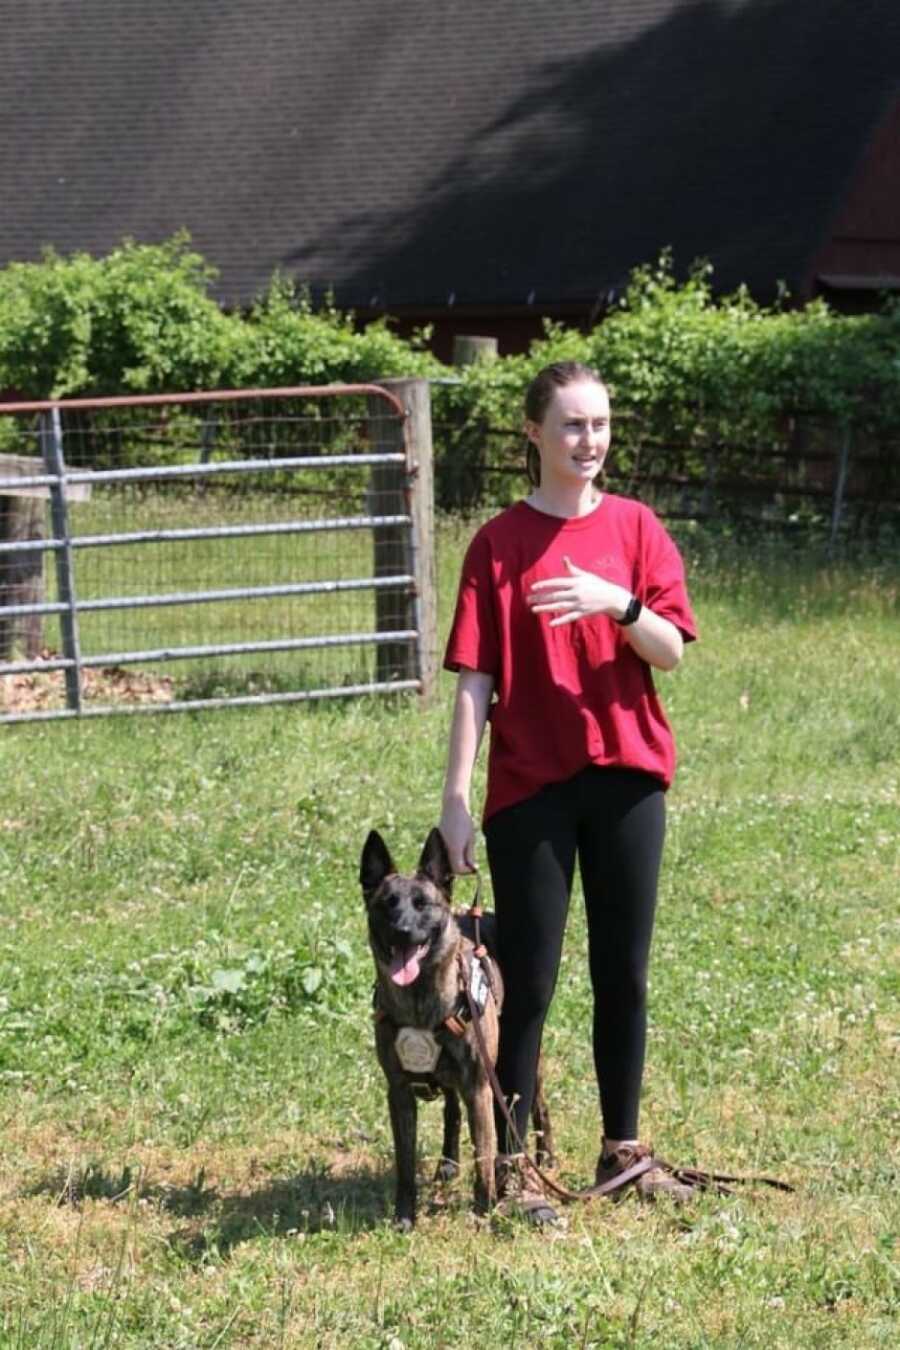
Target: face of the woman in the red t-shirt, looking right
x=574, y=437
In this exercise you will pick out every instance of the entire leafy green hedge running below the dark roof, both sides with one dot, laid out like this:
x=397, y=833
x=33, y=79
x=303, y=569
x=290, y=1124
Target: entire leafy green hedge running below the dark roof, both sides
x=692, y=373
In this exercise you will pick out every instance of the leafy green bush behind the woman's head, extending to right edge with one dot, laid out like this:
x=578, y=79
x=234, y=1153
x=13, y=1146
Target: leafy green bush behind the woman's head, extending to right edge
x=692, y=373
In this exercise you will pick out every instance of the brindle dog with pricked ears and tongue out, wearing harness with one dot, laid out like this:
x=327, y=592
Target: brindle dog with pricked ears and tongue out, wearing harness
x=420, y=950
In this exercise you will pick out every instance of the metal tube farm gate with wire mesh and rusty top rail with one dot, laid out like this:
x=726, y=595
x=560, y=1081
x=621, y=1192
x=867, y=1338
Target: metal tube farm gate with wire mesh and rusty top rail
x=217, y=549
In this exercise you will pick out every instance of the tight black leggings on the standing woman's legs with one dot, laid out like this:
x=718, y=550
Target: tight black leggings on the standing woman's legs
x=615, y=823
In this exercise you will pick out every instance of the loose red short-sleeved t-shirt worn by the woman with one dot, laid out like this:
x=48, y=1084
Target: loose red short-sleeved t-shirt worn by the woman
x=577, y=695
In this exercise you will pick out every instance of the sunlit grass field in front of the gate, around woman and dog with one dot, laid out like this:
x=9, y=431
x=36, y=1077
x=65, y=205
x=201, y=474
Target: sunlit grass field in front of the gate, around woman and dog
x=195, y=1145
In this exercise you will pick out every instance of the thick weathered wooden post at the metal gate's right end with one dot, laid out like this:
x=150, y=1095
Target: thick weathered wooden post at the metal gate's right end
x=397, y=489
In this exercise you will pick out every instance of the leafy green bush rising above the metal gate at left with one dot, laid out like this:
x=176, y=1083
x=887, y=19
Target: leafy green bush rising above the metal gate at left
x=141, y=321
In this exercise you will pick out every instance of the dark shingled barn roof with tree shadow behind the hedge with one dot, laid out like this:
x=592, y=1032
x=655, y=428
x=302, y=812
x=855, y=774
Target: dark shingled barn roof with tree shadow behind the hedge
x=501, y=153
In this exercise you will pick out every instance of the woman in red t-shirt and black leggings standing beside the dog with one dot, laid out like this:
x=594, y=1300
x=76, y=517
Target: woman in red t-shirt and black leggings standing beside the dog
x=567, y=600
